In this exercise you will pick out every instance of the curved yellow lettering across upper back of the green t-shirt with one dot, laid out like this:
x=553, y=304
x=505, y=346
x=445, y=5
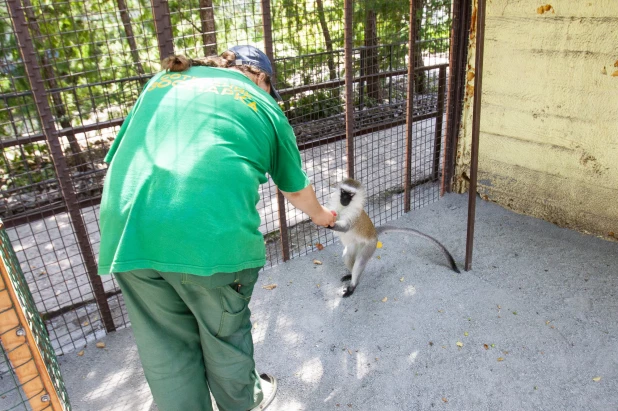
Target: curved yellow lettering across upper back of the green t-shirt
x=204, y=85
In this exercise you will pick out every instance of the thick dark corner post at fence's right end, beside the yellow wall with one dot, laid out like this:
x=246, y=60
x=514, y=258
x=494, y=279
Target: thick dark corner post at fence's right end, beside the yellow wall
x=459, y=47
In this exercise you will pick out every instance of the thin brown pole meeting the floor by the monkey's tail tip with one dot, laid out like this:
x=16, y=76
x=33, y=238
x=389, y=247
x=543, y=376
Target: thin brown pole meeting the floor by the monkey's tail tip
x=476, y=124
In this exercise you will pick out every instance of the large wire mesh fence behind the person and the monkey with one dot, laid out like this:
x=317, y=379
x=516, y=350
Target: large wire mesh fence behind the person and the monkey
x=94, y=57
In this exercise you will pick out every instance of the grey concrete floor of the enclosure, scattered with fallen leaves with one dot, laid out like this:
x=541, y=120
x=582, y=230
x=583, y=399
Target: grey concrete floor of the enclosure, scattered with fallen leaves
x=536, y=319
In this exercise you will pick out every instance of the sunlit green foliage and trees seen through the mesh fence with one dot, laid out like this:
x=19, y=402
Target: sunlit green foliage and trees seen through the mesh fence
x=91, y=68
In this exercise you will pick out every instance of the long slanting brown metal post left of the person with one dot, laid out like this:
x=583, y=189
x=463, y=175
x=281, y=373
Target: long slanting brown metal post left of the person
x=33, y=72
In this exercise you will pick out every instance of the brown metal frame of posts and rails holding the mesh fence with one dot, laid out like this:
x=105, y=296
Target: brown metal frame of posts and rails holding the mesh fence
x=448, y=105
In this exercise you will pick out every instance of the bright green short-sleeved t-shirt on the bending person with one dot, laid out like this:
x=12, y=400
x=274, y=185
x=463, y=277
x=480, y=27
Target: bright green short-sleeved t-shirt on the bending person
x=181, y=191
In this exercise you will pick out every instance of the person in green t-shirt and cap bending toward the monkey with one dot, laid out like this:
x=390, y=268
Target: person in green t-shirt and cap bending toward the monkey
x=180, y=228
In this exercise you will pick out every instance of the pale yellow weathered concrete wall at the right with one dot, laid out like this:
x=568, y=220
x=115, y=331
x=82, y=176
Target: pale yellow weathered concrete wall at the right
x=549, y=128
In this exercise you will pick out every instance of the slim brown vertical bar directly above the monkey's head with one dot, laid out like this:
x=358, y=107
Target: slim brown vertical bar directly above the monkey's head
x=348, y=30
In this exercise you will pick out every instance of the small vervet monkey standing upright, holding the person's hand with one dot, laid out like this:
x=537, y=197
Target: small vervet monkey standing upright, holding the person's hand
x=358, y=234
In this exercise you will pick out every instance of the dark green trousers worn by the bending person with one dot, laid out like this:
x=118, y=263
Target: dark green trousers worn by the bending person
x=193, y=336
